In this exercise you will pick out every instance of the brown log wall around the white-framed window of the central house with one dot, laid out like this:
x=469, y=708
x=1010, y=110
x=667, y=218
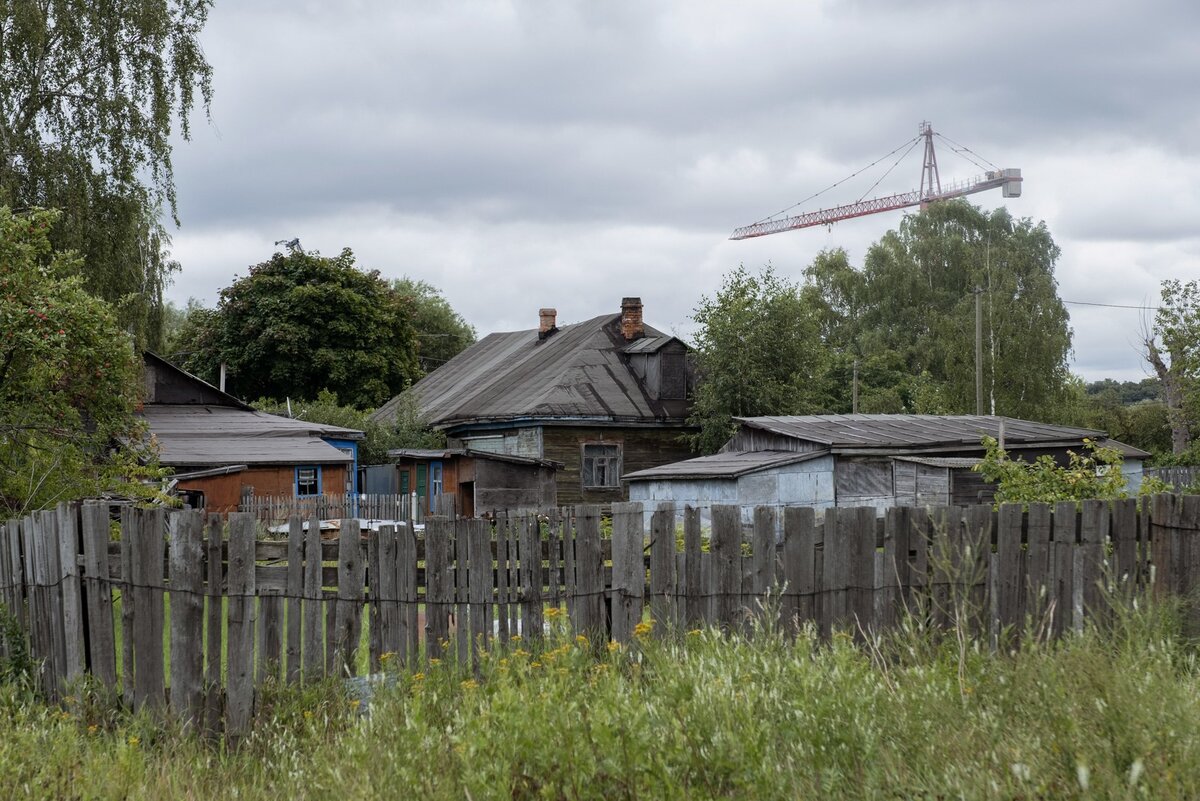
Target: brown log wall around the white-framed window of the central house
x=641, y=449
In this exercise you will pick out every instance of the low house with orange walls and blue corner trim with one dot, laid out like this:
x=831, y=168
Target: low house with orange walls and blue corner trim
x=223, y=450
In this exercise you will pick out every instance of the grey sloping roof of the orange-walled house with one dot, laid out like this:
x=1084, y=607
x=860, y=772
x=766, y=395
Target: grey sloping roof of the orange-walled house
x=194, y=435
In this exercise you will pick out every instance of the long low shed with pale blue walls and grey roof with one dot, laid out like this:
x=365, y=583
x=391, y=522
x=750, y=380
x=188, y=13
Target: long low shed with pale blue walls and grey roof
x=881, y=461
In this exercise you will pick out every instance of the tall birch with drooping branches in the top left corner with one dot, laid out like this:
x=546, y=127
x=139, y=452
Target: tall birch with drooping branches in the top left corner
x=91, y=95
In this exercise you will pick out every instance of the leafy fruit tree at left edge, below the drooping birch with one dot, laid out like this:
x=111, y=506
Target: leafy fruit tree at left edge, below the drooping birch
x=68, y=375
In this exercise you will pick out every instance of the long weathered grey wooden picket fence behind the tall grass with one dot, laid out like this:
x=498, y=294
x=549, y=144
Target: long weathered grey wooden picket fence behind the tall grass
x=116, y=599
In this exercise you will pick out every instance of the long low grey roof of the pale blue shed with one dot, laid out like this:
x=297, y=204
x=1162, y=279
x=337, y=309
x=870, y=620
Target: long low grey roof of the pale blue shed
x=916, y=431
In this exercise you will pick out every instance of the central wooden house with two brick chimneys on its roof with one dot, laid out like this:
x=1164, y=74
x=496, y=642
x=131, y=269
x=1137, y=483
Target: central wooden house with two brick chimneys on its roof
x=599, y=398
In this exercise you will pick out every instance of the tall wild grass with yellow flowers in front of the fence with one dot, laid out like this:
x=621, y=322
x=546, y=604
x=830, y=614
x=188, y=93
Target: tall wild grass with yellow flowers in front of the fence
x=1108, y=714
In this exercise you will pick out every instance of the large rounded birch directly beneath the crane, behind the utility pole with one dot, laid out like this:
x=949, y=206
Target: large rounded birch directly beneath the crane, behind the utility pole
x=921, y=305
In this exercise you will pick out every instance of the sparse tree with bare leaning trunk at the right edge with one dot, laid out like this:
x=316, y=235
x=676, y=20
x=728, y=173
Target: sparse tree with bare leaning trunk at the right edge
x=1173, y=350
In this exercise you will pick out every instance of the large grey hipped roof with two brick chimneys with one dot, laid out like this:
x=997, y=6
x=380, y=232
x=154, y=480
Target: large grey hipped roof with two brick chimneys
x=578, y=372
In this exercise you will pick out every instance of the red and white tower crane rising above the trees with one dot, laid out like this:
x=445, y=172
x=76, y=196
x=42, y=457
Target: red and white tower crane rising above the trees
x=932, y=190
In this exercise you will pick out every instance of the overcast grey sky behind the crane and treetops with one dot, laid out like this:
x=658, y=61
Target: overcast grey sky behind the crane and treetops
x=520, y=155
